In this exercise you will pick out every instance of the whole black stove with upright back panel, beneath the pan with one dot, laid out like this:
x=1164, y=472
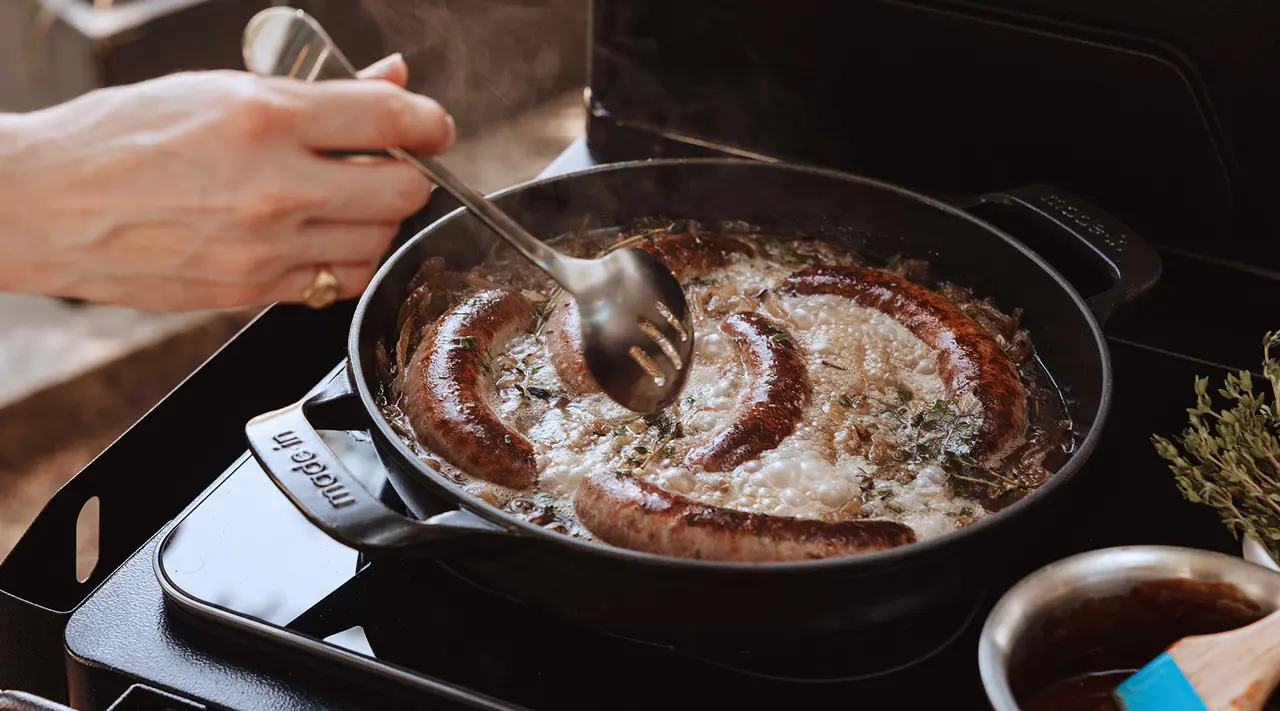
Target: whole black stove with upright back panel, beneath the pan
x=278, y=616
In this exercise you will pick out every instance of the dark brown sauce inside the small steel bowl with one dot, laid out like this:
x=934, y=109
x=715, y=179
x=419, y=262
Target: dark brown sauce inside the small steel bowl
x=1078, y=657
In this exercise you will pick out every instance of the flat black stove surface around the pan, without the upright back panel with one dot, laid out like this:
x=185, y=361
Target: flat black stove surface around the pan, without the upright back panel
x=436, y=640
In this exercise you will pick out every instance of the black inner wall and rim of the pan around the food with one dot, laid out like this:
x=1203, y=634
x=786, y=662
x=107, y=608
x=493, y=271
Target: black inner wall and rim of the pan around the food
x=875, y=220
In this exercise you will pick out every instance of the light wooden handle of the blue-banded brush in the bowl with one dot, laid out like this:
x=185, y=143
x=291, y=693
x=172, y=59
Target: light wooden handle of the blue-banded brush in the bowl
x=1235, y=671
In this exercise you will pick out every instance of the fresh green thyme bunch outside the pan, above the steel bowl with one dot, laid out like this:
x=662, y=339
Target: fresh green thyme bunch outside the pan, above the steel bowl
x=1229, y=459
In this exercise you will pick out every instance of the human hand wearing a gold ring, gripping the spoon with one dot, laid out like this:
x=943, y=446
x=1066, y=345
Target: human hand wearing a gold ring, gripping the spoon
x=208, y=190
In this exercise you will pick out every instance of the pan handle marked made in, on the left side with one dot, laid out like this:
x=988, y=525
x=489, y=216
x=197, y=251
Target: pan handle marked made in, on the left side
x=292, y=454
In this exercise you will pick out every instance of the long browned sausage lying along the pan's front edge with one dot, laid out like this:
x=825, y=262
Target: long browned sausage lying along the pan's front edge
x=633, y=514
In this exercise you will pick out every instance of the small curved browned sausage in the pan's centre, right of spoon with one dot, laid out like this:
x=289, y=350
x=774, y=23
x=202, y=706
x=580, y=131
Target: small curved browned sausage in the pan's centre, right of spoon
x=775, y=402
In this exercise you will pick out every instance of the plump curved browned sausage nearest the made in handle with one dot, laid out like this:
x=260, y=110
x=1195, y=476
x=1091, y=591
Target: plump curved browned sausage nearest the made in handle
x=444, y=389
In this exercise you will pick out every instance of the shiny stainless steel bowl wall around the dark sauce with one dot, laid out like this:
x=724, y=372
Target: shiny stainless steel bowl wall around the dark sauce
x=1016, y=626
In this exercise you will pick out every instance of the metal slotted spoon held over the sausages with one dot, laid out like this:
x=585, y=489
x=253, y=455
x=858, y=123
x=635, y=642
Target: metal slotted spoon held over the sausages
x=638, y=334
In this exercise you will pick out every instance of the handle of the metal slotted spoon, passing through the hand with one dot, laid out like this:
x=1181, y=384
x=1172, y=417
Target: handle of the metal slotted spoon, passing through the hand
x=289, y=43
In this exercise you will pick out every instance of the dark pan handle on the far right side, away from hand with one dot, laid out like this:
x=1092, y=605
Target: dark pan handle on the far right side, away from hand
x=1133, y=265
